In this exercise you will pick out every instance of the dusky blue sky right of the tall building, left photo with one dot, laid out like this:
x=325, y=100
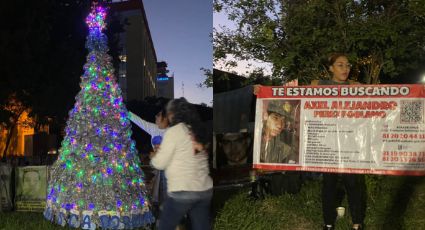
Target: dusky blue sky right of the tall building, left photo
x=181, y=33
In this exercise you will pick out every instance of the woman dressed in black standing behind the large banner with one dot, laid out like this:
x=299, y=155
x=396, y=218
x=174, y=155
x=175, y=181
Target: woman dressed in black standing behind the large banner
x=340, y=68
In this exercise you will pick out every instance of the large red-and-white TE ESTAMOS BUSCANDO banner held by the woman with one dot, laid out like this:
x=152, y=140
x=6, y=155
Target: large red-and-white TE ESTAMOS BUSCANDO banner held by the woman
x=366, y=129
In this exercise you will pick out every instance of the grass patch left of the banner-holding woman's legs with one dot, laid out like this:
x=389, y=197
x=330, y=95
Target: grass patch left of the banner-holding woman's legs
x=301, y=211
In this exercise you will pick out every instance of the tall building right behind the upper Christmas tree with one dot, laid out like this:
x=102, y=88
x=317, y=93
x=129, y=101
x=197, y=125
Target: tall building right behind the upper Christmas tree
x=137, y=70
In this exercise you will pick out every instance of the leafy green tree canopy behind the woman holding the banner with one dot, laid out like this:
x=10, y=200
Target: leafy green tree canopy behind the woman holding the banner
x=384, y=39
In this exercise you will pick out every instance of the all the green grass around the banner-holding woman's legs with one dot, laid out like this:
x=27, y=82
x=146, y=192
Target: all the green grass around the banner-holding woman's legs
x=393, y=202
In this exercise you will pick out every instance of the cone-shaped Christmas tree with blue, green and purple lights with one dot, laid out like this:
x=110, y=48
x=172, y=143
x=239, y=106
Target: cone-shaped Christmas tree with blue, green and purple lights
x=97, y=180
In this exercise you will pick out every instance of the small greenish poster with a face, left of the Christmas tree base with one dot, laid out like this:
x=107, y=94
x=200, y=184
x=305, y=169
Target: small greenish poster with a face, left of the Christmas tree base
x=31, y=186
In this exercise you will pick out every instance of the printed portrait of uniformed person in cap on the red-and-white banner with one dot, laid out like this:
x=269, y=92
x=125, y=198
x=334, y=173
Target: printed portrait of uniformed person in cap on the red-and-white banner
x=279, y=137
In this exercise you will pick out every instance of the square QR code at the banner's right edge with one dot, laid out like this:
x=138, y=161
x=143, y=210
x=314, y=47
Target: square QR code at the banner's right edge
x=412, y=112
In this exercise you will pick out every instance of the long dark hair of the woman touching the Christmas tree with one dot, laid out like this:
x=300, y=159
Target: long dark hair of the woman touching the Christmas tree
x=184, y=112
